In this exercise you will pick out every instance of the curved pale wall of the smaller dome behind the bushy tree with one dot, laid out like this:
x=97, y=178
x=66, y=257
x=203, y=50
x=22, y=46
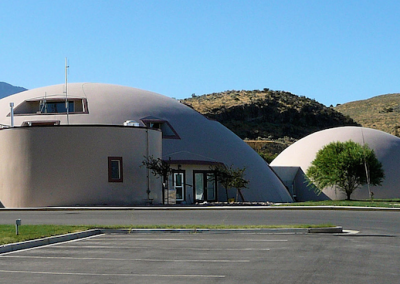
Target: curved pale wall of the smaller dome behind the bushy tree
x=386, y=147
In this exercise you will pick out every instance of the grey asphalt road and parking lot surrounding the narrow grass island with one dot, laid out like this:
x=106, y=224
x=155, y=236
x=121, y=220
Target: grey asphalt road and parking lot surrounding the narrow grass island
x=371, y=256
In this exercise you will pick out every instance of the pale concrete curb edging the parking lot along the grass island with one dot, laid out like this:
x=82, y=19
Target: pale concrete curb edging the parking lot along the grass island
x=73, y=236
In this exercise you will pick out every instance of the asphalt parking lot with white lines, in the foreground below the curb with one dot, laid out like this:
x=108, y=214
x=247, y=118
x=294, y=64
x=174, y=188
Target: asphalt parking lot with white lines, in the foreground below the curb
x=209, y=258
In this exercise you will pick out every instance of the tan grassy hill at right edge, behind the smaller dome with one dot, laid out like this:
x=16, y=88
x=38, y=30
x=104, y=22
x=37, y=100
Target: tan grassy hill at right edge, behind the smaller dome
x=380, y=112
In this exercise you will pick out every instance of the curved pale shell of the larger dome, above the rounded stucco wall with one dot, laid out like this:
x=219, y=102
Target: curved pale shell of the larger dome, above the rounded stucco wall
x=199, y=138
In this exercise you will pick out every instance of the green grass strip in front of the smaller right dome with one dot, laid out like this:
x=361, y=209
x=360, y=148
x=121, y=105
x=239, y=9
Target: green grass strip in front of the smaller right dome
x=386, y=203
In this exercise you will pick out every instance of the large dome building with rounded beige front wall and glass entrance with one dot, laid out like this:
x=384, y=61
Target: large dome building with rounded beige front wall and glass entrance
x=86, y=147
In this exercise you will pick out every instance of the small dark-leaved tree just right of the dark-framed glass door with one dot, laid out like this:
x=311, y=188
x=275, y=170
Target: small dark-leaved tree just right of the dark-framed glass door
x=230, y=177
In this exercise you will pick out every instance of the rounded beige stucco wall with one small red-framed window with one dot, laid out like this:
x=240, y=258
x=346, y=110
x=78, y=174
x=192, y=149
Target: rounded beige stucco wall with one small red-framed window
x=68, y=165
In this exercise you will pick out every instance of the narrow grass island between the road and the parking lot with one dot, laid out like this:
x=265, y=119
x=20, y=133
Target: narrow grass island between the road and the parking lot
x=31, y=232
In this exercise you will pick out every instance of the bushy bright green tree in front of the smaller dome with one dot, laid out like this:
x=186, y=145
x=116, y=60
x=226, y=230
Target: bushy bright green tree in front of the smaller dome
x=347, y=165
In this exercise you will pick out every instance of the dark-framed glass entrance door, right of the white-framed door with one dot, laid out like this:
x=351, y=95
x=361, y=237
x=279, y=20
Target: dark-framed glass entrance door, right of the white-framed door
x=205, y=187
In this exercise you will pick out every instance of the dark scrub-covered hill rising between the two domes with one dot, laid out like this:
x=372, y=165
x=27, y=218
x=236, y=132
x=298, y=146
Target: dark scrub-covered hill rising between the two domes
x=267, y=114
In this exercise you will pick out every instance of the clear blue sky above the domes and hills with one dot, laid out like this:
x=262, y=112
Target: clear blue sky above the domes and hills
x=333, y=51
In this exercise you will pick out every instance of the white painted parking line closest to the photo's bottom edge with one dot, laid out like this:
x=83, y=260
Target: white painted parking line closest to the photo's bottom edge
x=109, y=274
